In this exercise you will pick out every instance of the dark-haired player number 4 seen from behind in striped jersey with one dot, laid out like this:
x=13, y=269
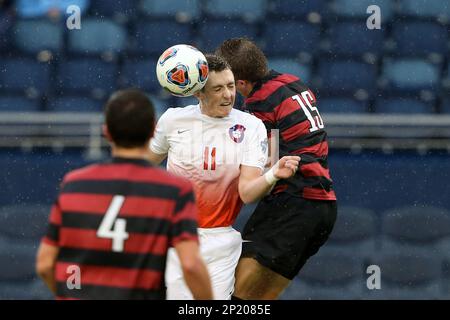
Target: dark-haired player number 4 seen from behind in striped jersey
x=116, y=220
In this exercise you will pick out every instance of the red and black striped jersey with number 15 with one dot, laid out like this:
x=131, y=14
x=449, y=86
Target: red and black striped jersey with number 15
x=284, y=102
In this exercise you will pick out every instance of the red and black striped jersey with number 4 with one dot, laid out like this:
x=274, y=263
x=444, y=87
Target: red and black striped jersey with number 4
x=115, y=221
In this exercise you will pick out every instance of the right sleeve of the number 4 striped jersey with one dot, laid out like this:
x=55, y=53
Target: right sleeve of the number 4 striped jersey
x=184, y=220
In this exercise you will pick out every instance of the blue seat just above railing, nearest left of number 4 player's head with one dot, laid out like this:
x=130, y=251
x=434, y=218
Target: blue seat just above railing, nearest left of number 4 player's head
x=74, y=104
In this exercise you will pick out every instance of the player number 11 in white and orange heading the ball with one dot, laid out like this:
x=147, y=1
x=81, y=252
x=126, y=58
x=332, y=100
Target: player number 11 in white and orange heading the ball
x=223, y=151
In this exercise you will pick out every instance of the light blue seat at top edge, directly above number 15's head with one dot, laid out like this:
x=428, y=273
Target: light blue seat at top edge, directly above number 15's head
x=249, y=10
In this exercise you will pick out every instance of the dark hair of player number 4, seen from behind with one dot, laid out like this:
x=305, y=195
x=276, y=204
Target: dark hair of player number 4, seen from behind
x=130, y=118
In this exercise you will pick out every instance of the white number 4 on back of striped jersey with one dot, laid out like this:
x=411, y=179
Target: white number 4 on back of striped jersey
x=118, y=234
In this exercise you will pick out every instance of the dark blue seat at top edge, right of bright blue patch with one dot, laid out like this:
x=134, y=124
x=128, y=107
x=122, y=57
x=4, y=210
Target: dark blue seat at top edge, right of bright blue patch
x=121, y=8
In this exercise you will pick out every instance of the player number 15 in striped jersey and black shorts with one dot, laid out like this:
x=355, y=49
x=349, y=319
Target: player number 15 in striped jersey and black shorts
x=295, y=220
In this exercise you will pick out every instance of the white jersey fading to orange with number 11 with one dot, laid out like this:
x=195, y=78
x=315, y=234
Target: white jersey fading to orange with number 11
x=209, y=151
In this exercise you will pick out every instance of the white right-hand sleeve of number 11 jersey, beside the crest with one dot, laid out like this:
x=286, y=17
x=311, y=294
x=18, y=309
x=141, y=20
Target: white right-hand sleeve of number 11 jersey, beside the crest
x=255, y=150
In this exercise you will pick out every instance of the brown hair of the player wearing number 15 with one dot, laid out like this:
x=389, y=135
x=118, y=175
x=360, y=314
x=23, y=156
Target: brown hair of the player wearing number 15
x=247, y=61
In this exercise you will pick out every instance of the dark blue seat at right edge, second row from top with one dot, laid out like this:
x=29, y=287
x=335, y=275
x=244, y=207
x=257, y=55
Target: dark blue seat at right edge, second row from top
x=410, y=41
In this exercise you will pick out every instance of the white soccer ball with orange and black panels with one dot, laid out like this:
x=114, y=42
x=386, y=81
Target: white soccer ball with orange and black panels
x=182, y=70
